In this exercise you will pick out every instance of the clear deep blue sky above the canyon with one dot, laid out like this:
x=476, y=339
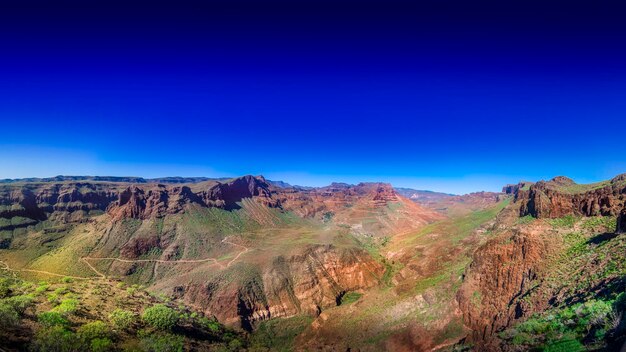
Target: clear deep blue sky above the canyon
x=444, y=95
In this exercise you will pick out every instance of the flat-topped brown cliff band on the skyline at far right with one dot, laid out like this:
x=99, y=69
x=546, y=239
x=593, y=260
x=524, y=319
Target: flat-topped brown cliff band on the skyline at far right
x=561, y=196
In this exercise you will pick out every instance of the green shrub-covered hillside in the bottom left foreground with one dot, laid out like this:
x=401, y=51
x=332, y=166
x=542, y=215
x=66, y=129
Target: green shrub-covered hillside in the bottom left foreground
x=65, y=327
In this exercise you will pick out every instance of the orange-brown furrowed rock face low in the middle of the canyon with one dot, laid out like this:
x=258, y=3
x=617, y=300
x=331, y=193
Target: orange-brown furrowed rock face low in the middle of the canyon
x=305, y=283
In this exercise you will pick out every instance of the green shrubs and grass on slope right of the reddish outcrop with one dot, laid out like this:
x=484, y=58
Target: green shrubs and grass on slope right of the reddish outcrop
x=597, y=258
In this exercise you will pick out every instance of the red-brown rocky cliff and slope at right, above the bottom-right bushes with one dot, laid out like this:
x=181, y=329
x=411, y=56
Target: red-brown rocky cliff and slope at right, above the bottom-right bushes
x=529, y=266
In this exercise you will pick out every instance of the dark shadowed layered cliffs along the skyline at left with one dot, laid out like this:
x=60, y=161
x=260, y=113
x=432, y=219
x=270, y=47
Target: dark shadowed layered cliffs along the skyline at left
x=142, y=200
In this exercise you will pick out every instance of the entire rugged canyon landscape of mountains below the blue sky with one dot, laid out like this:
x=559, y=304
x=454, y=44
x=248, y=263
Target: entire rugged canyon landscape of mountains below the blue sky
x=249, y=264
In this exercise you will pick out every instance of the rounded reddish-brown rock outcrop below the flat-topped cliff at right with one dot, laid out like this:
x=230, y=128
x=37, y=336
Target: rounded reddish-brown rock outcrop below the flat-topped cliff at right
x=503, y=270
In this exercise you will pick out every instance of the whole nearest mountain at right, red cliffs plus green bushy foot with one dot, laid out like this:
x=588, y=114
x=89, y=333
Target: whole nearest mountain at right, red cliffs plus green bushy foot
x=556, y=257
